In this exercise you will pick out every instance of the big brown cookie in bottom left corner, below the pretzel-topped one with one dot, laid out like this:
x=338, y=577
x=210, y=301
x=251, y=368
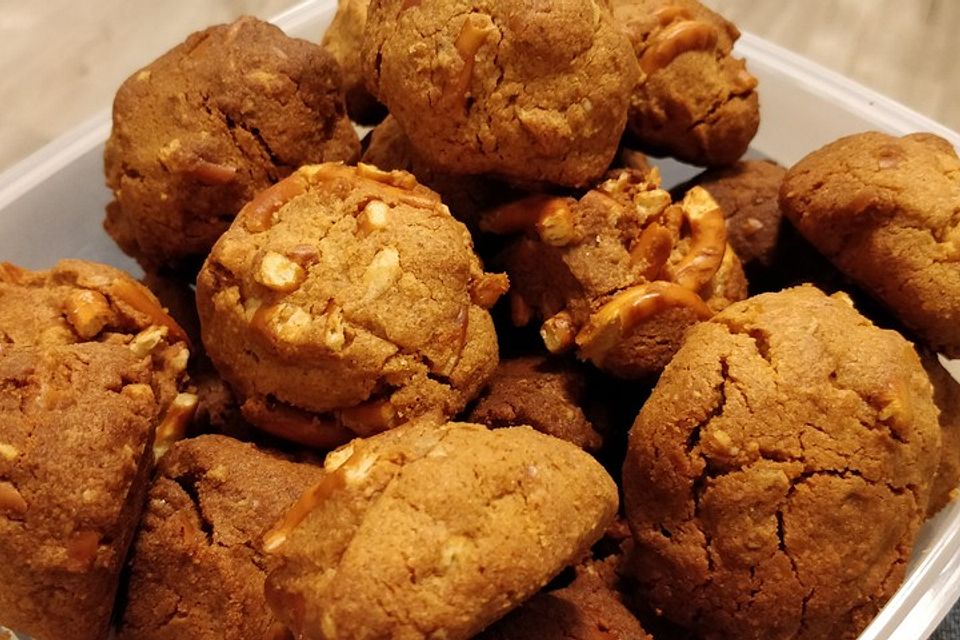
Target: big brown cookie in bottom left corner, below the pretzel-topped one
x=77, y=423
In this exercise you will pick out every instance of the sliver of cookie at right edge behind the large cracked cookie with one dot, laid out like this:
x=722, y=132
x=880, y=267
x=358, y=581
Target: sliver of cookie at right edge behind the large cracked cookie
x=946, y=395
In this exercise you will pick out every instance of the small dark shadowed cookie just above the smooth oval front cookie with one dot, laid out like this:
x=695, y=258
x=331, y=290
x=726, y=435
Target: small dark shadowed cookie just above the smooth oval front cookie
x=543, y=393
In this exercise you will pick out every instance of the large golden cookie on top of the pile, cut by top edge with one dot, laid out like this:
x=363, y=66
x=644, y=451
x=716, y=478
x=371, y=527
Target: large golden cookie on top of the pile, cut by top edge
x=523, y=90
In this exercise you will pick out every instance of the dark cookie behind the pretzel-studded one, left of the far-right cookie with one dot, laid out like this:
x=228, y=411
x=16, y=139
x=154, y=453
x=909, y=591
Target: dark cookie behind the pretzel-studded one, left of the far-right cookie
x=748, y=193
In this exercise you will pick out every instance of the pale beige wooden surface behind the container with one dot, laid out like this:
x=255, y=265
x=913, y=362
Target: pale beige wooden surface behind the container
x=62, y=60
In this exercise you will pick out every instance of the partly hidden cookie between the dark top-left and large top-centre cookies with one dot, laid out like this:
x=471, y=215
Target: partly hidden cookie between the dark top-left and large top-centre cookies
x=343, y=40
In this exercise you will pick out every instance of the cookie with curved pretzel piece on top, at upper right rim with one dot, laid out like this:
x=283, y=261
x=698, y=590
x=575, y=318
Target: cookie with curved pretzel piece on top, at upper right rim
x=694, y=100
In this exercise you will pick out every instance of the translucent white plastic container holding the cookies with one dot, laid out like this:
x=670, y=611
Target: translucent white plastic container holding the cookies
x=52, y=206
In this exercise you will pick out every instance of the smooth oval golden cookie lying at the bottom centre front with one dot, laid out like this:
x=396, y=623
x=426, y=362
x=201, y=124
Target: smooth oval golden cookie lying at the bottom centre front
x=433, y=530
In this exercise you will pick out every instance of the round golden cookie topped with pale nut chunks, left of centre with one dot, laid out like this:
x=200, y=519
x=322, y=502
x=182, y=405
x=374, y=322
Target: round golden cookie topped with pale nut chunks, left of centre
x=344, y=301
